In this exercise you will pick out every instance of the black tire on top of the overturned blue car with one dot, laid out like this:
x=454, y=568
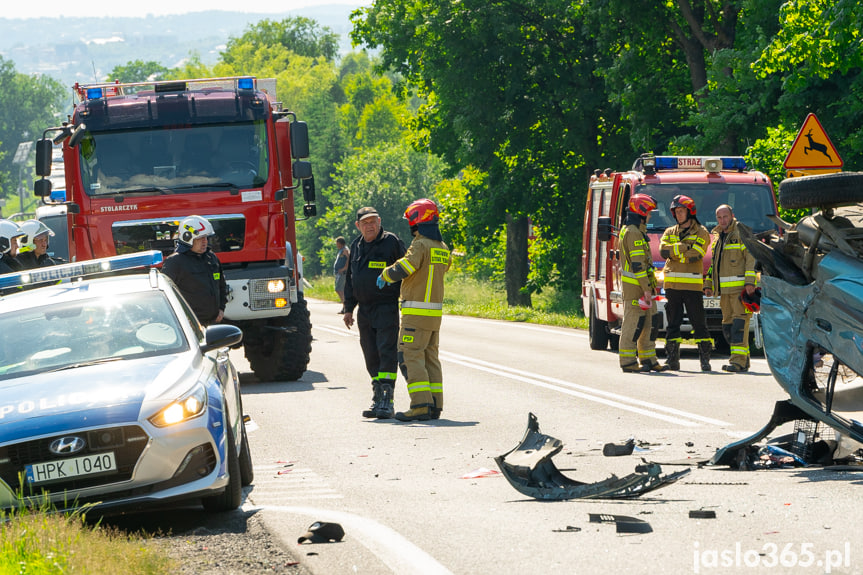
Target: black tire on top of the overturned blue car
x=821, y=191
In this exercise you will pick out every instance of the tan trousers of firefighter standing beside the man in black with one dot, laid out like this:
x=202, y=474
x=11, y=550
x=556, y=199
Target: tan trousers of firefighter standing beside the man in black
x=419, y=363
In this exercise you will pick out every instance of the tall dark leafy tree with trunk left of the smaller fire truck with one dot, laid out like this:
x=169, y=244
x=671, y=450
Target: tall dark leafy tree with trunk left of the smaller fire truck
x=509, y=89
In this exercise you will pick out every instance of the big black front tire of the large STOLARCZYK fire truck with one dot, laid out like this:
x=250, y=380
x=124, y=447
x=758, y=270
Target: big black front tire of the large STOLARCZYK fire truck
x=282, y=354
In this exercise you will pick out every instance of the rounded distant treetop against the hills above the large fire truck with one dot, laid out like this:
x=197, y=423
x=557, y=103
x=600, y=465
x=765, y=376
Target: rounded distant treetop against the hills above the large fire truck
x=300, y=35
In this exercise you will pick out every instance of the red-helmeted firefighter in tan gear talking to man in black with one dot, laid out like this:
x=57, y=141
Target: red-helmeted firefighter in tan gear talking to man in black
x=421, y=272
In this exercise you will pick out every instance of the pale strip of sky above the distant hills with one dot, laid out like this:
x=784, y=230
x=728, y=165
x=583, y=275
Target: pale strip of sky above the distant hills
x=141, y=8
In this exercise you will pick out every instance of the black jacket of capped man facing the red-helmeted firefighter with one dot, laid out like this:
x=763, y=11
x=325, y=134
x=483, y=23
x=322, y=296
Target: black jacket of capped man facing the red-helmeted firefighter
x=368, y=260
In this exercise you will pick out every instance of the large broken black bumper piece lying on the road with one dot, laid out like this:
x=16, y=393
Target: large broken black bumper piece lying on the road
x=529, y=469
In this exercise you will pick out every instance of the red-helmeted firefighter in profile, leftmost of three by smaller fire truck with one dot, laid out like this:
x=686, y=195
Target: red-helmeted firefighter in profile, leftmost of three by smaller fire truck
x=640, y=322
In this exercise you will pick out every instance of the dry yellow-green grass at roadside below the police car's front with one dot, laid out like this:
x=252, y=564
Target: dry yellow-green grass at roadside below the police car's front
x=39, y=541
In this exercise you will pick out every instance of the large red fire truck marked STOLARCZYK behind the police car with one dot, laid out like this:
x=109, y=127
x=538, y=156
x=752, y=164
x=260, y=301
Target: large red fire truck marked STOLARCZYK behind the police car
x=139, y=157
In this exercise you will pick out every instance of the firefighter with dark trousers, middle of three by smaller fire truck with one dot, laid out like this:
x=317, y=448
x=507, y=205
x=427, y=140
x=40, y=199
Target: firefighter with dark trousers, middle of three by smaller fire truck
x=683, y=246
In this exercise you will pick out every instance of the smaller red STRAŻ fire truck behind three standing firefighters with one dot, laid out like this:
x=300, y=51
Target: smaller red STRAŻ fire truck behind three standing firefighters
x=710, y=181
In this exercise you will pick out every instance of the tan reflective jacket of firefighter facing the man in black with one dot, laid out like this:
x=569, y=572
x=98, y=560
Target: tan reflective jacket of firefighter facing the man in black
x=421, y=272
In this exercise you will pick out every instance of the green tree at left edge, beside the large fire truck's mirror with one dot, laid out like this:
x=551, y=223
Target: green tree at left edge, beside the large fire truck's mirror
x=30, y=105
